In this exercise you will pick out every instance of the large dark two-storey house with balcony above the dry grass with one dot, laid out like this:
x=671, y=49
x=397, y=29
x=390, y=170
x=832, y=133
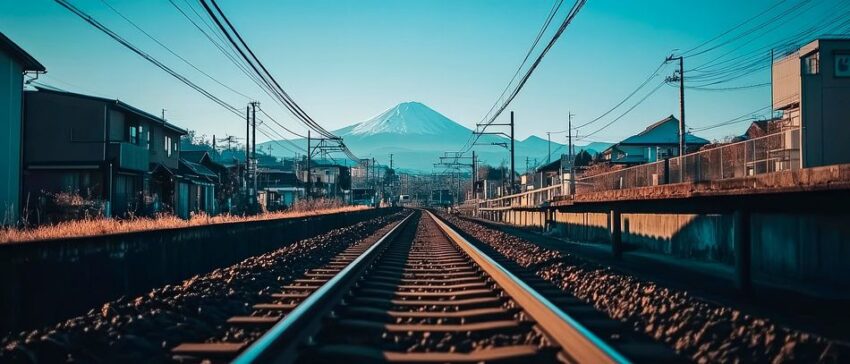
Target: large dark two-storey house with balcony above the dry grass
x=102, y=149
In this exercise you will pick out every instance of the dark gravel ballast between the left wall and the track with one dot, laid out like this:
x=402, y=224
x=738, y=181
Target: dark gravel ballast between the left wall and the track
x=145, y=328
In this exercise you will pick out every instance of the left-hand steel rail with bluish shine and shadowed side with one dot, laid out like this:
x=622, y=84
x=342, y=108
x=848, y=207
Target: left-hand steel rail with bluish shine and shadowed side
x=275, y=344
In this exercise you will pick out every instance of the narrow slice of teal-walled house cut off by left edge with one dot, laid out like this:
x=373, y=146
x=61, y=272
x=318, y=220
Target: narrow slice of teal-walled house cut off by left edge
x=14, y=63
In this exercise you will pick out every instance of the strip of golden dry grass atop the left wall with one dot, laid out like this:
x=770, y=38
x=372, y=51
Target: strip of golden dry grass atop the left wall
x=100, y=226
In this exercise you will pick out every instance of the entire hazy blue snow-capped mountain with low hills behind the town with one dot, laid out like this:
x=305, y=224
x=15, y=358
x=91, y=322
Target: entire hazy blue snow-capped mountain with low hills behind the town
x=417, y=135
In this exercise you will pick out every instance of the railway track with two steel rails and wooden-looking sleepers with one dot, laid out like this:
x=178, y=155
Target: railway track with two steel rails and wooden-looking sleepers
x=421, y=293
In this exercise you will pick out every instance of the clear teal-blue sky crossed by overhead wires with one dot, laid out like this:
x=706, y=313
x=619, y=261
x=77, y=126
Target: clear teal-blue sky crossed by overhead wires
x=346, y=61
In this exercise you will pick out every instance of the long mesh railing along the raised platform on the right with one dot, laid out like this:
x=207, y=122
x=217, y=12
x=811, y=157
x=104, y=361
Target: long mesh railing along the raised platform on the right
x=771, y=153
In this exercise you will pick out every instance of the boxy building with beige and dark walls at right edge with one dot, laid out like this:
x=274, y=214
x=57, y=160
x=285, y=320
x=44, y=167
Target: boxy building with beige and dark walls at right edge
x=811, y=87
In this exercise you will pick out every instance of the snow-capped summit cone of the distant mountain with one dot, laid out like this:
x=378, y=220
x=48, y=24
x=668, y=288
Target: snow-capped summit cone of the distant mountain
x=409, y=118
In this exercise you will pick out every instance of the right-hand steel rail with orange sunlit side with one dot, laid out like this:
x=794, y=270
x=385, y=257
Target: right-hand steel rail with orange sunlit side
x=575, y=340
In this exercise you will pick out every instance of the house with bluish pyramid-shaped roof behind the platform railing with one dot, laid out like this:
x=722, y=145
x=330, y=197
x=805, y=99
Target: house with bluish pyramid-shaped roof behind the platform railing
x=659, y=141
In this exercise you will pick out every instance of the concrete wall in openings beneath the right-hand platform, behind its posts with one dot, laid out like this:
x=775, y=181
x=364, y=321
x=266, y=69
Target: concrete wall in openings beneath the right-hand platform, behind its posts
x=805, y=252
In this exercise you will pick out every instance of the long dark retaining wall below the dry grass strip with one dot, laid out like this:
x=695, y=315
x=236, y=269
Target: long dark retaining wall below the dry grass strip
x=47, y=281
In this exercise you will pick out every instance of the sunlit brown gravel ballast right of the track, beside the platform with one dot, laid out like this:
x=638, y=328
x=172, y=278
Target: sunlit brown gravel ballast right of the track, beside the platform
x=700, y=330
